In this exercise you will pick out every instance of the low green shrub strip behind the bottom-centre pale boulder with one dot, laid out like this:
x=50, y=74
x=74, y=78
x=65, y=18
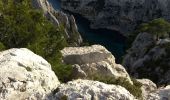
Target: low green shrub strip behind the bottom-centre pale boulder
x=134, y=89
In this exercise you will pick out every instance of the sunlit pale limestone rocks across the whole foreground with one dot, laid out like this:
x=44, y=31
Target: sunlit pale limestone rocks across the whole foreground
x=27, y=76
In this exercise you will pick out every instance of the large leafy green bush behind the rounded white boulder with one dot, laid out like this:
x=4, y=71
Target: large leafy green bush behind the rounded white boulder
x=23, y=26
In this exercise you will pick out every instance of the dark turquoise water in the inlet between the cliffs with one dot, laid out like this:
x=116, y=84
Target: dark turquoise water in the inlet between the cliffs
x=112, y=40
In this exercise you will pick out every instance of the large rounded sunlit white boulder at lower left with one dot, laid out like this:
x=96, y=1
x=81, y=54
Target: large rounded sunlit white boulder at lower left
x=25, y=76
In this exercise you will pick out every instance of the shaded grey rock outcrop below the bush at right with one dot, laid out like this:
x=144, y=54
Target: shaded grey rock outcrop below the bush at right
x=148, y=58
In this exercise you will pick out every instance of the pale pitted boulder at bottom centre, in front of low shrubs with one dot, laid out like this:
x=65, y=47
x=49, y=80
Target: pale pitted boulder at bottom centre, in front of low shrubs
x=91, y=90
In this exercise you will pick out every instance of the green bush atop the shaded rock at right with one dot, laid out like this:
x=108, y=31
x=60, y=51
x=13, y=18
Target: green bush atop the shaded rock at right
x=158, y=27
